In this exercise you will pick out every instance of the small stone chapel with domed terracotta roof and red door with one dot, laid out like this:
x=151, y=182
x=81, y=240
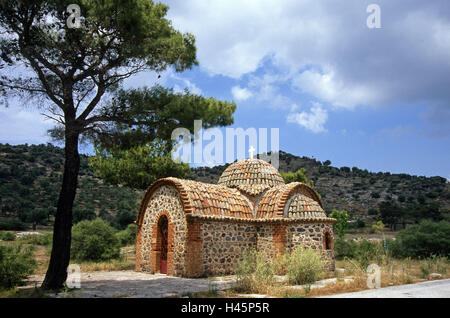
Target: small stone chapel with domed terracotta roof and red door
x=194, y=229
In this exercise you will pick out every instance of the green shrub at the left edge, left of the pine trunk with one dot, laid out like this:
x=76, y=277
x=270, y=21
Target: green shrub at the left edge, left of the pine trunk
x=16, y=263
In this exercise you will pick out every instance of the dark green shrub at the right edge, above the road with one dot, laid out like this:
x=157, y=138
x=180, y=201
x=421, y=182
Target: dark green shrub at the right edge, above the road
x=426, y=239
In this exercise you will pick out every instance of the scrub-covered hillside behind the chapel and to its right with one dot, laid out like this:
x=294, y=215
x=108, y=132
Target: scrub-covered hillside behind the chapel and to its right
x=355, y=190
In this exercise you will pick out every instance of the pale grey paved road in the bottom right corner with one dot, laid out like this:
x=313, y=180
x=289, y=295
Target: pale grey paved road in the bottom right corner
x=430, y=289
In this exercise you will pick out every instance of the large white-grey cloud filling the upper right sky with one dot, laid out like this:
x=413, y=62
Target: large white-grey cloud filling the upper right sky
x=407, y=60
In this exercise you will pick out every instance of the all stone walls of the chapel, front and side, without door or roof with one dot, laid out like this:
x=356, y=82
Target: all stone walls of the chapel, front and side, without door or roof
x=205, y=247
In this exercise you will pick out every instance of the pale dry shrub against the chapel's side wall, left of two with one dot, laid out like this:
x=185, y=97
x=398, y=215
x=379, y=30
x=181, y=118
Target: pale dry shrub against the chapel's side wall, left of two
x=254, y=272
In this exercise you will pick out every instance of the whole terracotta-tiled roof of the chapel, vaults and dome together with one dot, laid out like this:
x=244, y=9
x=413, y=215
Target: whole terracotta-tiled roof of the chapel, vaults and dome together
x=280, y=201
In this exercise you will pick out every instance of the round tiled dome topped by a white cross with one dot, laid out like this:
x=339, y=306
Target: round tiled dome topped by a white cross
x=252, y=176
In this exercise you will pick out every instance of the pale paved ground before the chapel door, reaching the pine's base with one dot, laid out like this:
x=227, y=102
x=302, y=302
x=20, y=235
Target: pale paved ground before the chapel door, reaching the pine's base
x=137, y=284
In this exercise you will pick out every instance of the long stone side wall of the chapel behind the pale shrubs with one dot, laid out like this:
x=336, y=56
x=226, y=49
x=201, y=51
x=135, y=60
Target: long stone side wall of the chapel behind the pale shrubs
x=216, y=245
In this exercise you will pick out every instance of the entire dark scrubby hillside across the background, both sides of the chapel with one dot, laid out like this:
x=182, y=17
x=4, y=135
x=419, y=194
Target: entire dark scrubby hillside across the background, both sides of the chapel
x=30, y=179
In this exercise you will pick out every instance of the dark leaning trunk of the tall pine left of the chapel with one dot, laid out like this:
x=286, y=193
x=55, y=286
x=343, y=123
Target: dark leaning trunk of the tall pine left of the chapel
x=62, y=231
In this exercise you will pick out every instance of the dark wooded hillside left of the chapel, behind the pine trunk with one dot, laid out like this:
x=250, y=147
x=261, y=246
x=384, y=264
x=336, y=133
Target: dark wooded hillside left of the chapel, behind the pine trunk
x=30, y=180
